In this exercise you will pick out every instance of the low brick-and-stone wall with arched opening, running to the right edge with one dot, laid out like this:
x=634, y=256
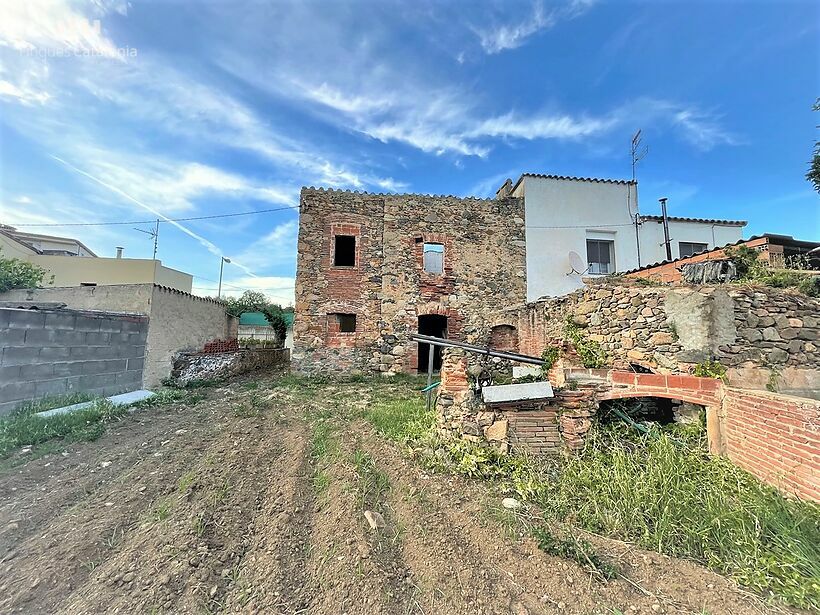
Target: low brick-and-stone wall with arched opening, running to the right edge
x=775, y=437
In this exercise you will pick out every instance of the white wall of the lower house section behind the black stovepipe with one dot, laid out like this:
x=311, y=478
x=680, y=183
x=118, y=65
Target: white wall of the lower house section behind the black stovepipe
x=715, y=235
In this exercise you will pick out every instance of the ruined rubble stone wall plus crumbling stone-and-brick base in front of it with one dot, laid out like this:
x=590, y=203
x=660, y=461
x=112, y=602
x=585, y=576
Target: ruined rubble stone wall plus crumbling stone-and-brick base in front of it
x=753, y=331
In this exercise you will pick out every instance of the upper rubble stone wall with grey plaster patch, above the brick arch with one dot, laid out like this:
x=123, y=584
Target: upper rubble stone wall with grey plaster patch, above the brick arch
x=762, y=335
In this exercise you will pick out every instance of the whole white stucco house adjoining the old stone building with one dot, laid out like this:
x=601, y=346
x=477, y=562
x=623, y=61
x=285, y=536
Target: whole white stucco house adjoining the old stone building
x=578, y=227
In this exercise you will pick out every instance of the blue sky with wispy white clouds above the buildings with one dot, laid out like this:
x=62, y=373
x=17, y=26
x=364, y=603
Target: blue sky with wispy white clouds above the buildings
x=118, y=111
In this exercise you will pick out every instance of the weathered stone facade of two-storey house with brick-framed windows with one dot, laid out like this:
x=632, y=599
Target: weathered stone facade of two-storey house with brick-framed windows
x=386, y=286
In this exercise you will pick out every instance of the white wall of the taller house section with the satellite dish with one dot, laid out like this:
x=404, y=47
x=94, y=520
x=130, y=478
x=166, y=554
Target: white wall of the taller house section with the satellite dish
x=560, y=215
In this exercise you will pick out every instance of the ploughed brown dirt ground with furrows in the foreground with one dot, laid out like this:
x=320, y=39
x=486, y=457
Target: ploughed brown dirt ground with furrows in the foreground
x=233, y=505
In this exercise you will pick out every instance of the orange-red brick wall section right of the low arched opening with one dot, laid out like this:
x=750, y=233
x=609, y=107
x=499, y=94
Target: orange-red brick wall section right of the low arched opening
x=776, y=438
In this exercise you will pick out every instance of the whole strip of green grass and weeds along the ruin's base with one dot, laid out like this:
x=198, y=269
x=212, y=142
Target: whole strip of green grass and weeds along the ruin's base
x=661, y=491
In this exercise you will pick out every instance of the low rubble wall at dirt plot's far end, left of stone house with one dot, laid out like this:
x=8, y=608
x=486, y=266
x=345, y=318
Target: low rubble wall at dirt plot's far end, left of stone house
x=220, y=365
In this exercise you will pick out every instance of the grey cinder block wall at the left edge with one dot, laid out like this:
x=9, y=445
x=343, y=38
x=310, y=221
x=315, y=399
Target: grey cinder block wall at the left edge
x=54, y=352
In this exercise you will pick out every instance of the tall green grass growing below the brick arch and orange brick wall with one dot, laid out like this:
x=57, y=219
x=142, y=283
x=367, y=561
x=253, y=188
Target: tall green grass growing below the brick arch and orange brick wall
x=677, y=500
